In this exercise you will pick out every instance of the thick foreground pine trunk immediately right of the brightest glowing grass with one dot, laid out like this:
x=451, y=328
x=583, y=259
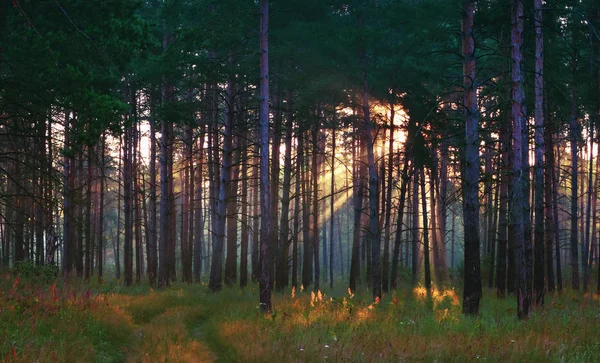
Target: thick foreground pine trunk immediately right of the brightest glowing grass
x=472, y=279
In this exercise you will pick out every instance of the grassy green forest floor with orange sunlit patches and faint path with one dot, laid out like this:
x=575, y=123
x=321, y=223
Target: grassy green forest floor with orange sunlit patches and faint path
x=81, y=322
